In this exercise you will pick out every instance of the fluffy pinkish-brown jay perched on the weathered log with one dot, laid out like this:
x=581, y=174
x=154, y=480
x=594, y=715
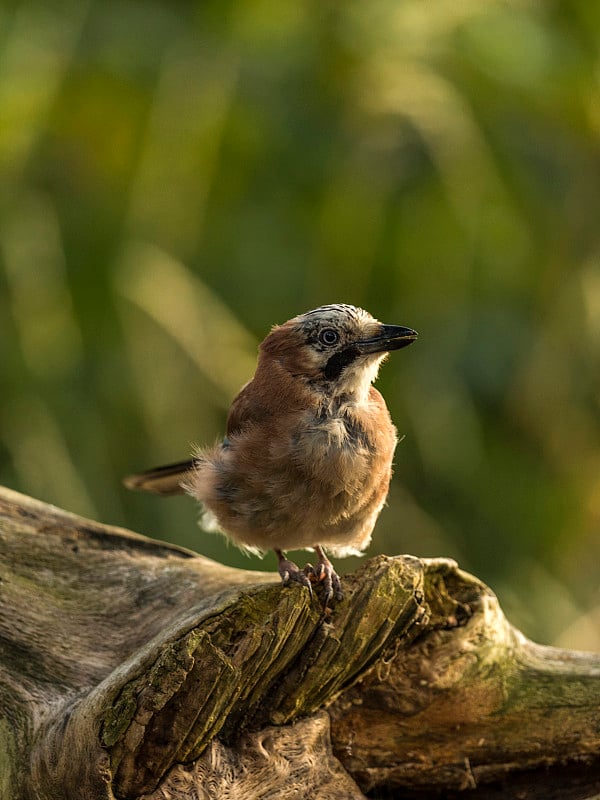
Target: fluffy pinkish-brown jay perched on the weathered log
x=306, y=460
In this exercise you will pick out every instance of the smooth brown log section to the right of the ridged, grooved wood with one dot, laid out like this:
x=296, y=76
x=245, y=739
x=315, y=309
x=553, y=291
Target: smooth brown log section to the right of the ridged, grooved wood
x=471, y=704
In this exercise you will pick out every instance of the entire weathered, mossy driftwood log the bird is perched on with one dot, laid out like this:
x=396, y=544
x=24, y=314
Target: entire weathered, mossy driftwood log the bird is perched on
x=133, y=668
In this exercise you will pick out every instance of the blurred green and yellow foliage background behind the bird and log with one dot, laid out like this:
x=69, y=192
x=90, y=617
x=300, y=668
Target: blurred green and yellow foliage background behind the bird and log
x=177, y=176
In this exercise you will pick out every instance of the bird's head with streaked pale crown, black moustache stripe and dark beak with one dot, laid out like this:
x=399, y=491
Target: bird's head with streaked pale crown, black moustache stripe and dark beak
x=337, y=349
